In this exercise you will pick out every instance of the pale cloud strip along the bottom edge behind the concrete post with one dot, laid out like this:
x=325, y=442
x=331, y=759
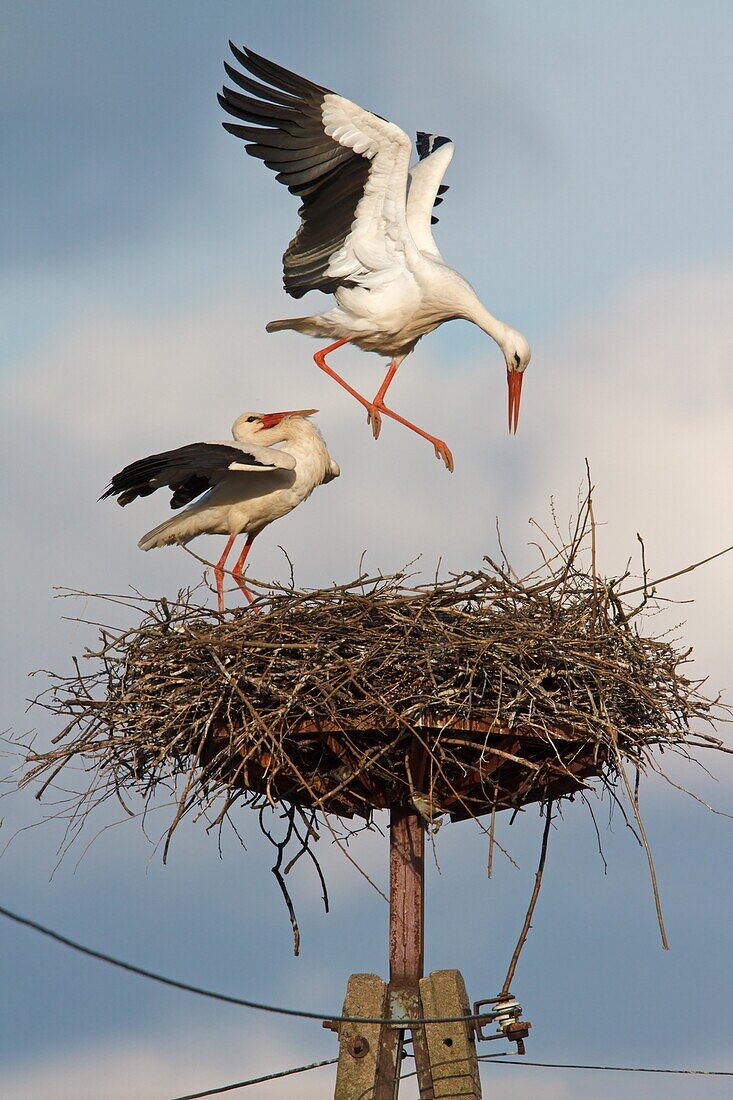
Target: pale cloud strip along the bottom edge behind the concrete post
x=166, y=1064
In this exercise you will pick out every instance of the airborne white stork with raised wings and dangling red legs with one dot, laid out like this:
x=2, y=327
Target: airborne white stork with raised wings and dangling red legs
x=365, y=234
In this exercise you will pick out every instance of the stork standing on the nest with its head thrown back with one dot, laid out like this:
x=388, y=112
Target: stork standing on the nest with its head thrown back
x=242, y=486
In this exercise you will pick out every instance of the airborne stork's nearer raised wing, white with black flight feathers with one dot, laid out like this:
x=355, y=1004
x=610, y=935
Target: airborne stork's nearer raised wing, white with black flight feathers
x=348, y=166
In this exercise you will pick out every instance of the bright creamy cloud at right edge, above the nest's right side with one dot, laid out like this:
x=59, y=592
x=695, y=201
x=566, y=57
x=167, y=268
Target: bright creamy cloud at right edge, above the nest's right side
x=648, y=397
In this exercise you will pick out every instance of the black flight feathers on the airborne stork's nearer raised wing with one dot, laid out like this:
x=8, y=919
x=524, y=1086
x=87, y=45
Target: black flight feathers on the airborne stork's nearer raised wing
x=289, y=137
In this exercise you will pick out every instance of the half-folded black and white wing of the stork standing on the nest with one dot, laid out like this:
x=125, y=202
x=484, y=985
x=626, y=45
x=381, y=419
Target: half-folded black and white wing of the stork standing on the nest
x=192, y=470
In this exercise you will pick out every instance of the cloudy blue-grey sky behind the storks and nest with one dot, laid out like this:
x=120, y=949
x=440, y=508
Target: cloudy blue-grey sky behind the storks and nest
x=139, y=263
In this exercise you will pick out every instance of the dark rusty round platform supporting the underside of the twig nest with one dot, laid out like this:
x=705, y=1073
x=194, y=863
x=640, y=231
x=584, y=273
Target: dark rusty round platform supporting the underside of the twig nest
x=465, y=772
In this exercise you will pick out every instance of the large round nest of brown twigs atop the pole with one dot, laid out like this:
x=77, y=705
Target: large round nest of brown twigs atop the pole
x=464, y=698
